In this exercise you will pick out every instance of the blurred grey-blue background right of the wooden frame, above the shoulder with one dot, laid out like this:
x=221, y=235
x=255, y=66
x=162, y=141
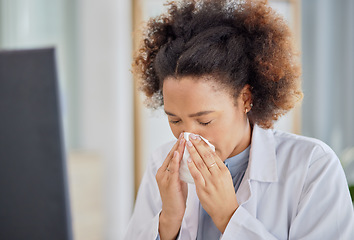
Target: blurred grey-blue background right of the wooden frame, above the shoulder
x=328, y=76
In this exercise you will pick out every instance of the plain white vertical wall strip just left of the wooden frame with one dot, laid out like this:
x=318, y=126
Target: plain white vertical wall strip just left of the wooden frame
x=104, y=50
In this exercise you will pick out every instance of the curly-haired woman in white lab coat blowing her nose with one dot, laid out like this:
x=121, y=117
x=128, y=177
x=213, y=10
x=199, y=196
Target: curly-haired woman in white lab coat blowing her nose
x=226, y=71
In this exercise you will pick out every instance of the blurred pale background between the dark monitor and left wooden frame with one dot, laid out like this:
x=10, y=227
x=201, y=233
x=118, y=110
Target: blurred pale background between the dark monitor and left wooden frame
x=93, y=41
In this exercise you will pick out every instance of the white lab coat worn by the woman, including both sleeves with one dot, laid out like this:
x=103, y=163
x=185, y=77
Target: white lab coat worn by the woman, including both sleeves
x=294, y=188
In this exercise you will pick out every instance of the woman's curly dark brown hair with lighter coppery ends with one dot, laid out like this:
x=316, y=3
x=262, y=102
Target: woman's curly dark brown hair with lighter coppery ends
x=240, y=42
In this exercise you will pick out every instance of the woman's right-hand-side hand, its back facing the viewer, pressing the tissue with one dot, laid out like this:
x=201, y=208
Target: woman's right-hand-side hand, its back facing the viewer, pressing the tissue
x=213, y=182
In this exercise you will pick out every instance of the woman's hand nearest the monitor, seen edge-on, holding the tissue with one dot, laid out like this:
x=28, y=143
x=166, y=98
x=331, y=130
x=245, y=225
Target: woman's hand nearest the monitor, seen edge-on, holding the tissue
x=173, y=192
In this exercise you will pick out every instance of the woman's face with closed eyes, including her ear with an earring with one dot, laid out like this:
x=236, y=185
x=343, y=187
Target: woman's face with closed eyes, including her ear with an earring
x=203, y=107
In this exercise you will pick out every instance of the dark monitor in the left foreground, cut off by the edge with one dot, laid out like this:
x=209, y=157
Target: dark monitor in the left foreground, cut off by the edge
x=33, y=187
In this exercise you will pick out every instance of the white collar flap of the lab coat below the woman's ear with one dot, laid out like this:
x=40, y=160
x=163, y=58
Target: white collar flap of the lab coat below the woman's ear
x=262, y=161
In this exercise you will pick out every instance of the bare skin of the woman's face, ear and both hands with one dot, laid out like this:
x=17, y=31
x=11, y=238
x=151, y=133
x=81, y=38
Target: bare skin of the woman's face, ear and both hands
x=202, y=106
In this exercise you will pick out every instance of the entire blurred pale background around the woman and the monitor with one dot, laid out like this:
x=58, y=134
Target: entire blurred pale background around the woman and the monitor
x=108, y=132
